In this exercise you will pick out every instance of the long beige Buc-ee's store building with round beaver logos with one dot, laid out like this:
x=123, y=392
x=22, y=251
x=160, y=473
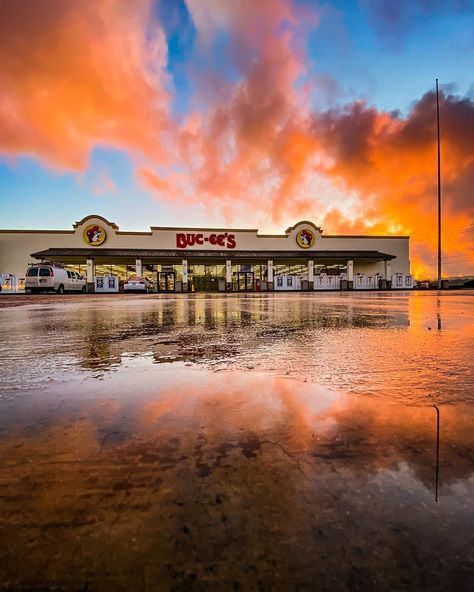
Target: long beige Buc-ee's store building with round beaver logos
x=210, y=259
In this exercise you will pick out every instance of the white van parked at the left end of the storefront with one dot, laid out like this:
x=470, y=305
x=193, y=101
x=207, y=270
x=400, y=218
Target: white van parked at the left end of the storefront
x=47, y=277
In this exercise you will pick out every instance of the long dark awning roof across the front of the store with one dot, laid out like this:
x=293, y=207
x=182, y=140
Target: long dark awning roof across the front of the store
x=56, y=253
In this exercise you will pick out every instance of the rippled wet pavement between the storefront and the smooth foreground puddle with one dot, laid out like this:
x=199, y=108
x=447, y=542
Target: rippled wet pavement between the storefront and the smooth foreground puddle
x=404, y=347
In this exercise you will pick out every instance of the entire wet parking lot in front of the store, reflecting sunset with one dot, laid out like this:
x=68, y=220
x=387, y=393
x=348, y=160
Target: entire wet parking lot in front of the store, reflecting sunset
x=242, y=442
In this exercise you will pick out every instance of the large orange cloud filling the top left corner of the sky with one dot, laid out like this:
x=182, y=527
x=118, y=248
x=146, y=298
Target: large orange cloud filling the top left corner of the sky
x=78, y=73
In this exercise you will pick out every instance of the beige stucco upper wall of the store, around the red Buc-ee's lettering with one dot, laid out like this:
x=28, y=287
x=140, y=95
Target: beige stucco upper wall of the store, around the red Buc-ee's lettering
x=16, y=246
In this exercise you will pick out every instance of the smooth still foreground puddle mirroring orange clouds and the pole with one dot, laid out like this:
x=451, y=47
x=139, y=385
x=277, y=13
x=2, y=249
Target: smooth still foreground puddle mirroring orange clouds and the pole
x=181, y=478
